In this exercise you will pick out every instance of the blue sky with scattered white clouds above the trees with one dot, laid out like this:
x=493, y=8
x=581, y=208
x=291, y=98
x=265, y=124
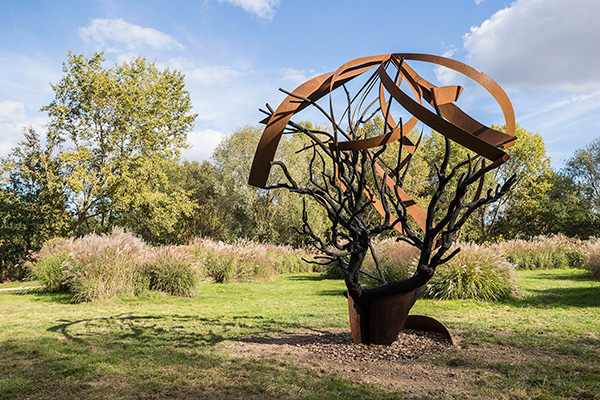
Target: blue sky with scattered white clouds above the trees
x=237, y=53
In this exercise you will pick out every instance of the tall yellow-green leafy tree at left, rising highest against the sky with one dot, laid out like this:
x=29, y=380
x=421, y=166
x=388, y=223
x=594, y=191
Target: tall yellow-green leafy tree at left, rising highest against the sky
x=114, y=134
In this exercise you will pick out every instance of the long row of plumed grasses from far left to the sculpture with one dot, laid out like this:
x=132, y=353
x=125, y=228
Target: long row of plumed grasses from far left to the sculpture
x=99, y=267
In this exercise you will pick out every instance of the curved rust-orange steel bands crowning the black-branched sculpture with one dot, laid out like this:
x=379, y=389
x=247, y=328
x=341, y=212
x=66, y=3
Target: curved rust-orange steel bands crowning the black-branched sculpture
x=449, y=120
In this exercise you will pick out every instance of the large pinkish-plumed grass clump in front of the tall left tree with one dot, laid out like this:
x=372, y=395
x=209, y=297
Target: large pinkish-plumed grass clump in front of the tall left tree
x=102, y=267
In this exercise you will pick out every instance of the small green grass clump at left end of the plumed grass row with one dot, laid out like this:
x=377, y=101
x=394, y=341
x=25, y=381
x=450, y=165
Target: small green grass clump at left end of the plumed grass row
x=52, y=272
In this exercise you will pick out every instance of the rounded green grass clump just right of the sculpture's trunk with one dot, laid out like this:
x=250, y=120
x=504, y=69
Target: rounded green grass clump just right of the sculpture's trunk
x=477, y=272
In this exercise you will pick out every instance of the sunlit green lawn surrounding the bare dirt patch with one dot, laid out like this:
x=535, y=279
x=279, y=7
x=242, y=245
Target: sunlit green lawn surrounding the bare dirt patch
x=165, y=347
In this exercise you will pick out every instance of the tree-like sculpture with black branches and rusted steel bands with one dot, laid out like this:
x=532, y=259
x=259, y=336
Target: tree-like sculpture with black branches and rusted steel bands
x=349, y=176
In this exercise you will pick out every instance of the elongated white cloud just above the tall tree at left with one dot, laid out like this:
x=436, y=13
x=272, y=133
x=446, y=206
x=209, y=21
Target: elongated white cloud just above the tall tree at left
x=107, y=31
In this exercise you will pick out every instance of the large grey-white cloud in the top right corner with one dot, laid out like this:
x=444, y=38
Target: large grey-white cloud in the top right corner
x=540, y=45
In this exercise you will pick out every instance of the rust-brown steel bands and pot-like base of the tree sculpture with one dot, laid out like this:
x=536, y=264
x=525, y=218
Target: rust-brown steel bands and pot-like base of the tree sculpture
x=434, y=106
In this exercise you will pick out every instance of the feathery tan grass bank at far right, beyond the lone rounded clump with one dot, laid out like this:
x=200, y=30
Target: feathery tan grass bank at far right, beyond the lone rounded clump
x=542, y=252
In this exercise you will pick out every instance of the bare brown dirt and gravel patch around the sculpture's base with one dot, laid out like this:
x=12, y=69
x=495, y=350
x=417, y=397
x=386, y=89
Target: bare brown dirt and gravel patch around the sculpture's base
x=410, y=364
